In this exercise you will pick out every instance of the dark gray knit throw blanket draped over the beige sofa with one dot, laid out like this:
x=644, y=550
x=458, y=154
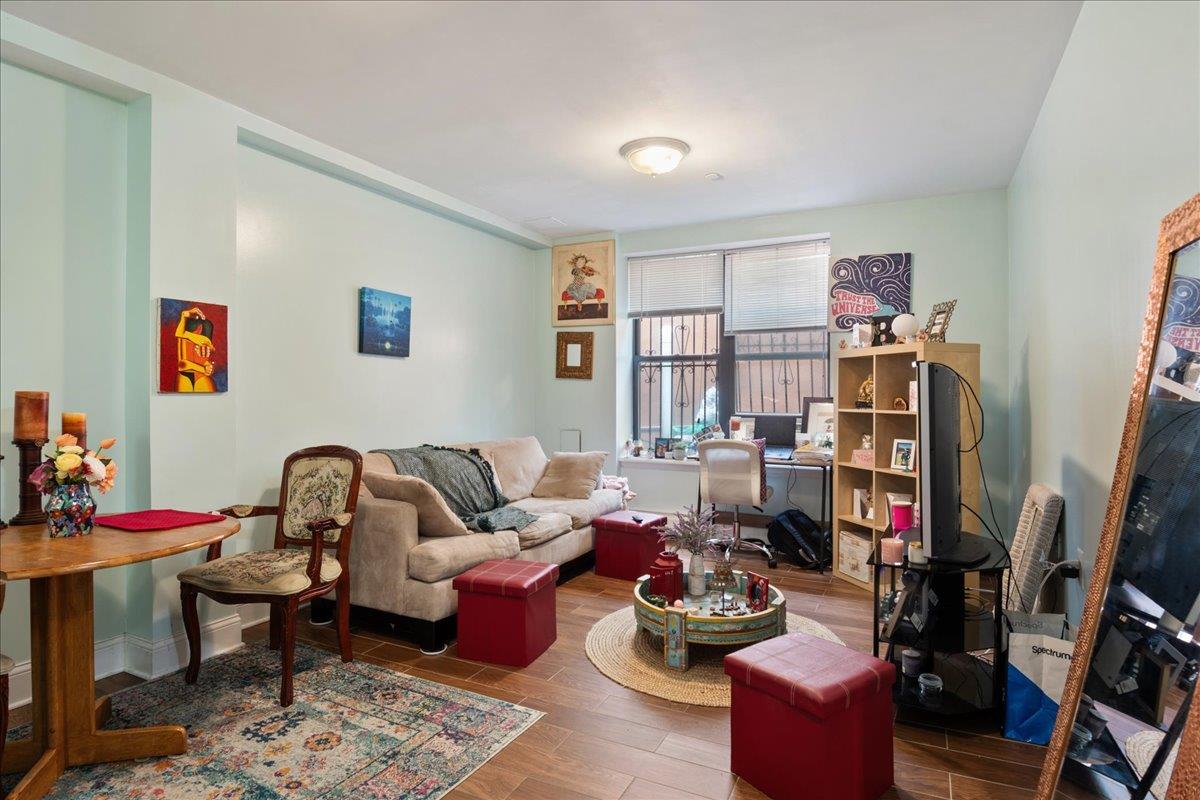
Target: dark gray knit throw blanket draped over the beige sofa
x=465, y=480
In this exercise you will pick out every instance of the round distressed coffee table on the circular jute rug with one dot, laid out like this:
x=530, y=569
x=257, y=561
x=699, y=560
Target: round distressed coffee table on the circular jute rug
x=698, y=623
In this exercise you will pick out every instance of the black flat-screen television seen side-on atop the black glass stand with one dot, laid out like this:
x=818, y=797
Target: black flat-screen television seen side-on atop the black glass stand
x=941, y=491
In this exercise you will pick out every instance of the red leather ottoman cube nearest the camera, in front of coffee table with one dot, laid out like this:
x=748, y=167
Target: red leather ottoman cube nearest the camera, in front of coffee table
x=811, y=719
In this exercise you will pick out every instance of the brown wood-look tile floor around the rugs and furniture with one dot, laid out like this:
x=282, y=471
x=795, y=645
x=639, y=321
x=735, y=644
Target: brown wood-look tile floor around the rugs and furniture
x=602, y=742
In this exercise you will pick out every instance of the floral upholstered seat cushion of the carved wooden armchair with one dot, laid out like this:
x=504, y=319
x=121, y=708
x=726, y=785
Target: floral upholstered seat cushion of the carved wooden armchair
x=266, y=573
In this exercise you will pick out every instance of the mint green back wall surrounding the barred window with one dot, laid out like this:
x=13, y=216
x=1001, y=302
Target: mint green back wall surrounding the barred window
x=961, y=250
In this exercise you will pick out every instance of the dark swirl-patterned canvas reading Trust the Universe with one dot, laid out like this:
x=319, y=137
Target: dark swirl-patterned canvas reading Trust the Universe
x=861, y=288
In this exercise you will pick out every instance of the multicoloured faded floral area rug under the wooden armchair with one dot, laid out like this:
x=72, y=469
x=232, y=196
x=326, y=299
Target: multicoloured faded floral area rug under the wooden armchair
x=355, y=731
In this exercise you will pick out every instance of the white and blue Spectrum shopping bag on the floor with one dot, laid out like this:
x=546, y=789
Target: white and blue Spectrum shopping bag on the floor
x=1037, y=673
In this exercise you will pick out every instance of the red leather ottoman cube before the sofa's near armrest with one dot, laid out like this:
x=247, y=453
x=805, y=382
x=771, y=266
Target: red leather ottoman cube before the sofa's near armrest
x=507, y=611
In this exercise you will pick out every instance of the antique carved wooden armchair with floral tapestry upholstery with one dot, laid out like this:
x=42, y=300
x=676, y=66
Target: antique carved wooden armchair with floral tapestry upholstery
x=317, y=502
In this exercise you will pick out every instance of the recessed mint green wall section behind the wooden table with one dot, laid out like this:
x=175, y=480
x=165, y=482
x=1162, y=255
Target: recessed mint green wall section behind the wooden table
x=63, y=155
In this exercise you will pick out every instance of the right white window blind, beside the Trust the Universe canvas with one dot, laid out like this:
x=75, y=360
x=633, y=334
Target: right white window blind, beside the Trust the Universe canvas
x=778, y=287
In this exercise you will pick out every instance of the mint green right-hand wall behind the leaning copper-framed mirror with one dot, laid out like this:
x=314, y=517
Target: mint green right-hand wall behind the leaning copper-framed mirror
x=1115, y=148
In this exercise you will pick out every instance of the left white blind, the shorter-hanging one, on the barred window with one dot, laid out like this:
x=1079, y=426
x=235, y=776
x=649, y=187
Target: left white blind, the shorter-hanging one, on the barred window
x=667, y=285
